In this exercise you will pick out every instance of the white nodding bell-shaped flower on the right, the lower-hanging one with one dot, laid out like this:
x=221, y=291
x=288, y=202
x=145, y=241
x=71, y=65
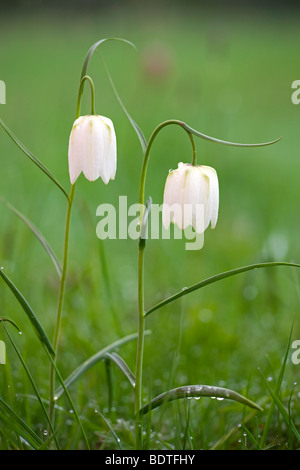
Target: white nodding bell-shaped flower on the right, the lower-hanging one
x=191, y=197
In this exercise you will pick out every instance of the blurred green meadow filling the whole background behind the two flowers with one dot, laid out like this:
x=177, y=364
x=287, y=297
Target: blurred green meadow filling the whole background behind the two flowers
x=228, y=75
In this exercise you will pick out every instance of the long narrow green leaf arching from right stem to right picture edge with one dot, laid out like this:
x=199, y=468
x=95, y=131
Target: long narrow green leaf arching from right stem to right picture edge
x=216, y=278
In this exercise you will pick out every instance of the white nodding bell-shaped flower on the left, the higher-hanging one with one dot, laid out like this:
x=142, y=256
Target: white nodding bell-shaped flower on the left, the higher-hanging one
x=92, y=149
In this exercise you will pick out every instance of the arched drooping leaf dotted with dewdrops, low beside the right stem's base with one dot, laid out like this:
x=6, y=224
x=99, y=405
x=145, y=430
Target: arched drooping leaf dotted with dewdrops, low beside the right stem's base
x=197, y=391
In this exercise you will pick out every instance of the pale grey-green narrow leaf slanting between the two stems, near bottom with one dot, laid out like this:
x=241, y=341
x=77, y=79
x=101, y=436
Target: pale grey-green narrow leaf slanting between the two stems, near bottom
x=100, y=355
